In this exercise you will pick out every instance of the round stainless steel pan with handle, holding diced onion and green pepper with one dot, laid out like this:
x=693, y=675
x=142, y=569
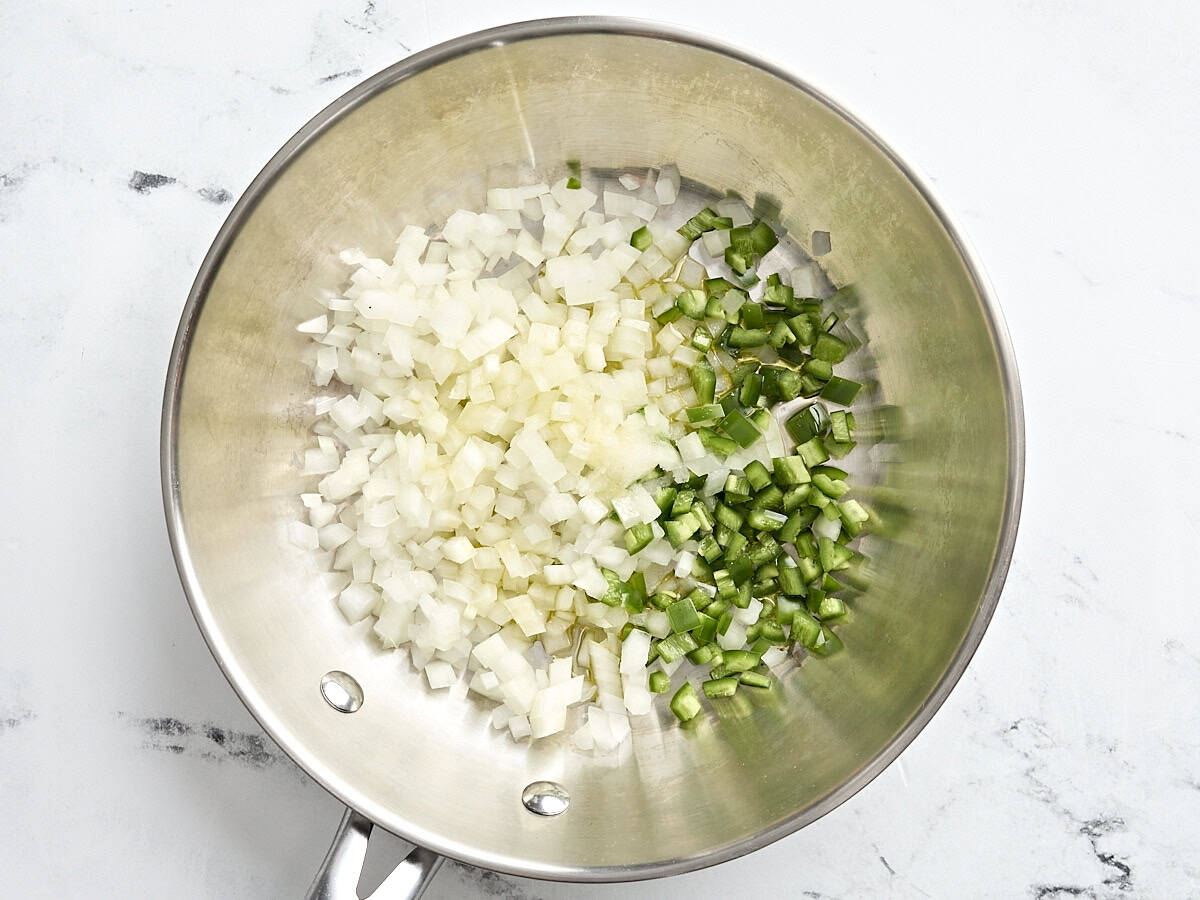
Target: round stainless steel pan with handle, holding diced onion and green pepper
x=945, y=475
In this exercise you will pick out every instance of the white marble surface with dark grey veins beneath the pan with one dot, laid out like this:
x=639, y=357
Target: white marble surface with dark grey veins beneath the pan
x=1066, y=140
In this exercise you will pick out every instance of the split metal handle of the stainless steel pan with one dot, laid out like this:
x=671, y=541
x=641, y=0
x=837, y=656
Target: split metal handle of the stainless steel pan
x=339, y=875
